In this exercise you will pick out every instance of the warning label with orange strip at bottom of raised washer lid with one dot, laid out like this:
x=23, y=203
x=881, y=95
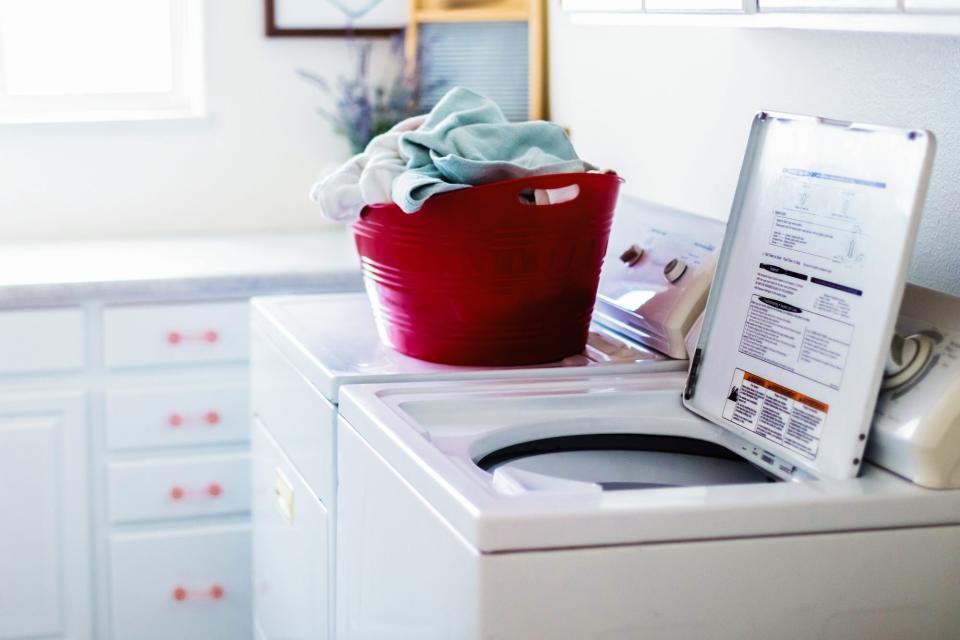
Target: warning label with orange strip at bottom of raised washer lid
x=774, y=412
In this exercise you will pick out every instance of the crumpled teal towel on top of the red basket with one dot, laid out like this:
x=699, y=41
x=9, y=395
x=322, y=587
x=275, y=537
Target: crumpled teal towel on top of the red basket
x=466, y=140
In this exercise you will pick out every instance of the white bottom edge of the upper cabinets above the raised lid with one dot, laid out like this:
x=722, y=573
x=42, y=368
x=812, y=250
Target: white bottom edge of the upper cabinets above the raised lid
x=945, y=24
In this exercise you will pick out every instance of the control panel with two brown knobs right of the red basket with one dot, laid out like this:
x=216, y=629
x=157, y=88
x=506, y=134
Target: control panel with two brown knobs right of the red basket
x=657, y=273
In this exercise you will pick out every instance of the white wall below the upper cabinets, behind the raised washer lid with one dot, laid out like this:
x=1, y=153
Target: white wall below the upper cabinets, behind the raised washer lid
x=670, y=108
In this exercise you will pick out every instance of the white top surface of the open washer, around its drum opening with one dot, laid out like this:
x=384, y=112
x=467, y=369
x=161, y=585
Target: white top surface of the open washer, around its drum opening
x=433, y=434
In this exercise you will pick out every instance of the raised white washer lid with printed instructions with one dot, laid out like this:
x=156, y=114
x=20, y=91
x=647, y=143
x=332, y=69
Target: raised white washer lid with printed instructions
x=808, y=284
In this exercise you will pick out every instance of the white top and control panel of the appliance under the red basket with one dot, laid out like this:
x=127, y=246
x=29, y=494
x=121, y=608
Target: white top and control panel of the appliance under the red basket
x=333, y=340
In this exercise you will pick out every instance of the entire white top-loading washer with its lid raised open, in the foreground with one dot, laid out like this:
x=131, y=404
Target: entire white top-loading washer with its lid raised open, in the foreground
x=606, y=507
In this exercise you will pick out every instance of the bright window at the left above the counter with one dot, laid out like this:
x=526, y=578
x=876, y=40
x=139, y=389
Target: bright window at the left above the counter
x=95, y=60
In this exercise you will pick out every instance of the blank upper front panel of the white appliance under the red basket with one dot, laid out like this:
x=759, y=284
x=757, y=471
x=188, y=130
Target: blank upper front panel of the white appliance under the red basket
x=298, y=417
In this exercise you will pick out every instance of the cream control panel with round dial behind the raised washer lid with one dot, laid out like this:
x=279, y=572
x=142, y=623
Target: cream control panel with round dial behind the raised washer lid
x=916, y=427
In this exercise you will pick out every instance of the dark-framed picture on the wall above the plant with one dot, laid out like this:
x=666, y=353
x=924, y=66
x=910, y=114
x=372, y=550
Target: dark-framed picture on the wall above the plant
x=332, y=18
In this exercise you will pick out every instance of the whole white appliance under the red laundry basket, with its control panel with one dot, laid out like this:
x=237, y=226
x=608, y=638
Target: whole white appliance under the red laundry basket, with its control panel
x=306, y=348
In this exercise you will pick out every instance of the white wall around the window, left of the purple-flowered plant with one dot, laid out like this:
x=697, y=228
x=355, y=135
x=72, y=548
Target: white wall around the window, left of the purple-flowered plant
x=248, y=166
